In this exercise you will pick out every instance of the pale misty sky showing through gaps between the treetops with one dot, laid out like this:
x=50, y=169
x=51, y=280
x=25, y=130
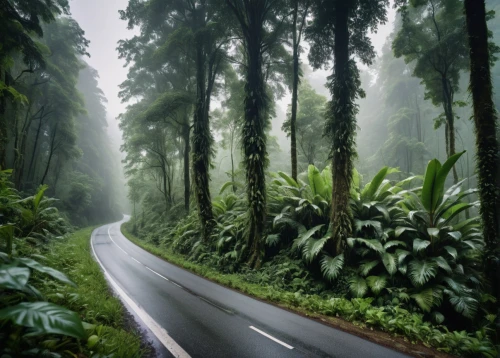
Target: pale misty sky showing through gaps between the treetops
x=103, y=27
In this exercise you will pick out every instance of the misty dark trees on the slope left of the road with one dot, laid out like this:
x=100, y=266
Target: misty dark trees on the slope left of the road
x=52, y=113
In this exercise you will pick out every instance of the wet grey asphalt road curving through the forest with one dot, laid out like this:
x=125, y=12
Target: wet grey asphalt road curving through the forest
x=194, y=317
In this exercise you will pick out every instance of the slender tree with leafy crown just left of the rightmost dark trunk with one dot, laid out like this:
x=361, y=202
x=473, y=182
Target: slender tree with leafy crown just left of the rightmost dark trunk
x=433, y=36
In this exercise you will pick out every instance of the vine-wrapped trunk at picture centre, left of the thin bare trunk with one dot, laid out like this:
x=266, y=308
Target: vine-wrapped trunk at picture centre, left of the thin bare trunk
x=254, y=145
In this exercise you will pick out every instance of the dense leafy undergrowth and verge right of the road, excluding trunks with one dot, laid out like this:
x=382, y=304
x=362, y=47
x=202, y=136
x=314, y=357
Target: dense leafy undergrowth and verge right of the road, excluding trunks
x=412, y=267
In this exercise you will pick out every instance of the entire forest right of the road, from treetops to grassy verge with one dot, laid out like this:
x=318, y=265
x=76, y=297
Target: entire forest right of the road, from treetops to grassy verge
x=358, y=219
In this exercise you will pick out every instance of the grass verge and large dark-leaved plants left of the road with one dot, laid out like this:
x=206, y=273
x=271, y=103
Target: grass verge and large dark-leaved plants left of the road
x=54, y=300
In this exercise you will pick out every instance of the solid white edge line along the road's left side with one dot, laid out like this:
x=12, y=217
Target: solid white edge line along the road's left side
x=157, y=330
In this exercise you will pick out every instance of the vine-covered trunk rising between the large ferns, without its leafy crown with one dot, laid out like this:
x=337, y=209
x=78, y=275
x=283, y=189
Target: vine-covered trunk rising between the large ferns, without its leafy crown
x=342, y=128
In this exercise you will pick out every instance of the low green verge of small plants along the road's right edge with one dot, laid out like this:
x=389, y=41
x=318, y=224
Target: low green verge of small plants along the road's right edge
x=398, y=328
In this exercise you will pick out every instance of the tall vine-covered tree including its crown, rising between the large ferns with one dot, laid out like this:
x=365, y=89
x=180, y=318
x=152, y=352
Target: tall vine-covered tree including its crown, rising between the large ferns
x=338, y=33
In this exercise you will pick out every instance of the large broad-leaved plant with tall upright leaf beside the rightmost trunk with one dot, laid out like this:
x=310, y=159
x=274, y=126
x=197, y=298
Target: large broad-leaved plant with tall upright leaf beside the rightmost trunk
x=443, y=252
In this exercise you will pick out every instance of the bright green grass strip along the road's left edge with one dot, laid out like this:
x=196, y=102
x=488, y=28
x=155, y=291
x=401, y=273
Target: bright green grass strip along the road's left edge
x=92, y=298
